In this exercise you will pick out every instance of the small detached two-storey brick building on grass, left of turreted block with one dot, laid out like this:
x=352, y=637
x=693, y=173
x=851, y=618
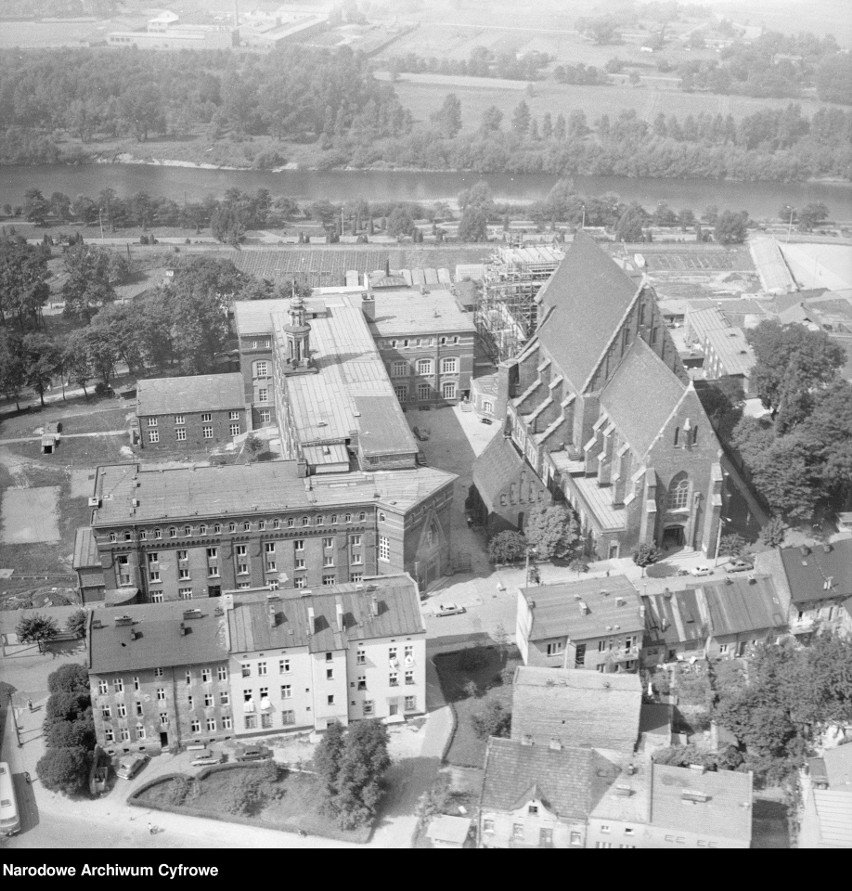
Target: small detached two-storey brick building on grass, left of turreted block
x=190, y=412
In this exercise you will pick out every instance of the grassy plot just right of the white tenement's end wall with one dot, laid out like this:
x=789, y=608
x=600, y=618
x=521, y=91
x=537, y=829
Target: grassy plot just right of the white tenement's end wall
x=492, y=680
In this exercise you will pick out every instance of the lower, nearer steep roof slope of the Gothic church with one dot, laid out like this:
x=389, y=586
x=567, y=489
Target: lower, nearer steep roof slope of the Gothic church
x=639, y=374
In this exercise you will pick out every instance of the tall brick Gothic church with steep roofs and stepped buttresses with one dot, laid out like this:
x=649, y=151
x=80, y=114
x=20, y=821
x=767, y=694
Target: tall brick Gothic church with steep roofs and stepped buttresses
x=603, y=411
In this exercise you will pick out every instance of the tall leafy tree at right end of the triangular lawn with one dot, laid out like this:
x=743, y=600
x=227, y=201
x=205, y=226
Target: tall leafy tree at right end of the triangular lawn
x=363, y=761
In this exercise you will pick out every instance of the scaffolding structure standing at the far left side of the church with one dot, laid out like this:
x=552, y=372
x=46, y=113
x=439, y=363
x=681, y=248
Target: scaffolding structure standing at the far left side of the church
x=506, y=311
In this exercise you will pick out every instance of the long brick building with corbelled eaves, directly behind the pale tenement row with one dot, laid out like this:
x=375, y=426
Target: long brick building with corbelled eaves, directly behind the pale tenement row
x=193, y=532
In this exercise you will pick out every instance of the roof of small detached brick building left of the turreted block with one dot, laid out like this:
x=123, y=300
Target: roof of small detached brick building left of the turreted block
x=183, y=395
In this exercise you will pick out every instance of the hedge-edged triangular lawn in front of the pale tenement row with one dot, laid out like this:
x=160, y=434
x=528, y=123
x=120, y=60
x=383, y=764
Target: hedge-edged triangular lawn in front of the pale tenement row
x=292, y=803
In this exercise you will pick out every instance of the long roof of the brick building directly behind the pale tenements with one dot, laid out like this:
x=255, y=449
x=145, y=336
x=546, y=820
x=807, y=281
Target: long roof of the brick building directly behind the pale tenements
x=185, y=493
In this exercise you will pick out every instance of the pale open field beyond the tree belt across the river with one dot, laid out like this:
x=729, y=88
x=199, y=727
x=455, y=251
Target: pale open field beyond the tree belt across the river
x=424, y=98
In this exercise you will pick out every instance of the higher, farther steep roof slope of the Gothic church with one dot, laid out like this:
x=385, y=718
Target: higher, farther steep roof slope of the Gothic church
x=586, y=297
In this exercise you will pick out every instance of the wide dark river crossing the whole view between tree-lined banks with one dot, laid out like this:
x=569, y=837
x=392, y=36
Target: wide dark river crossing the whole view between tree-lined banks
x=761, y=200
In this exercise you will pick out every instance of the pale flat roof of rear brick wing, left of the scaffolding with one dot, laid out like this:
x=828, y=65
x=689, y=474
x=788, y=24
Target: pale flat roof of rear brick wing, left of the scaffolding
x=407, y=311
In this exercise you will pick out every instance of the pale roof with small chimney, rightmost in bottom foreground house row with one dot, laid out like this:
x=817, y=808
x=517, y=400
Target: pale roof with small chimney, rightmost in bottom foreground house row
x=725, y=814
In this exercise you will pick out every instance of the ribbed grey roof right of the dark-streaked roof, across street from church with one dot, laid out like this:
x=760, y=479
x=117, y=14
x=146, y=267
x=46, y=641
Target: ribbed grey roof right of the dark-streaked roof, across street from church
x=738, y=605
